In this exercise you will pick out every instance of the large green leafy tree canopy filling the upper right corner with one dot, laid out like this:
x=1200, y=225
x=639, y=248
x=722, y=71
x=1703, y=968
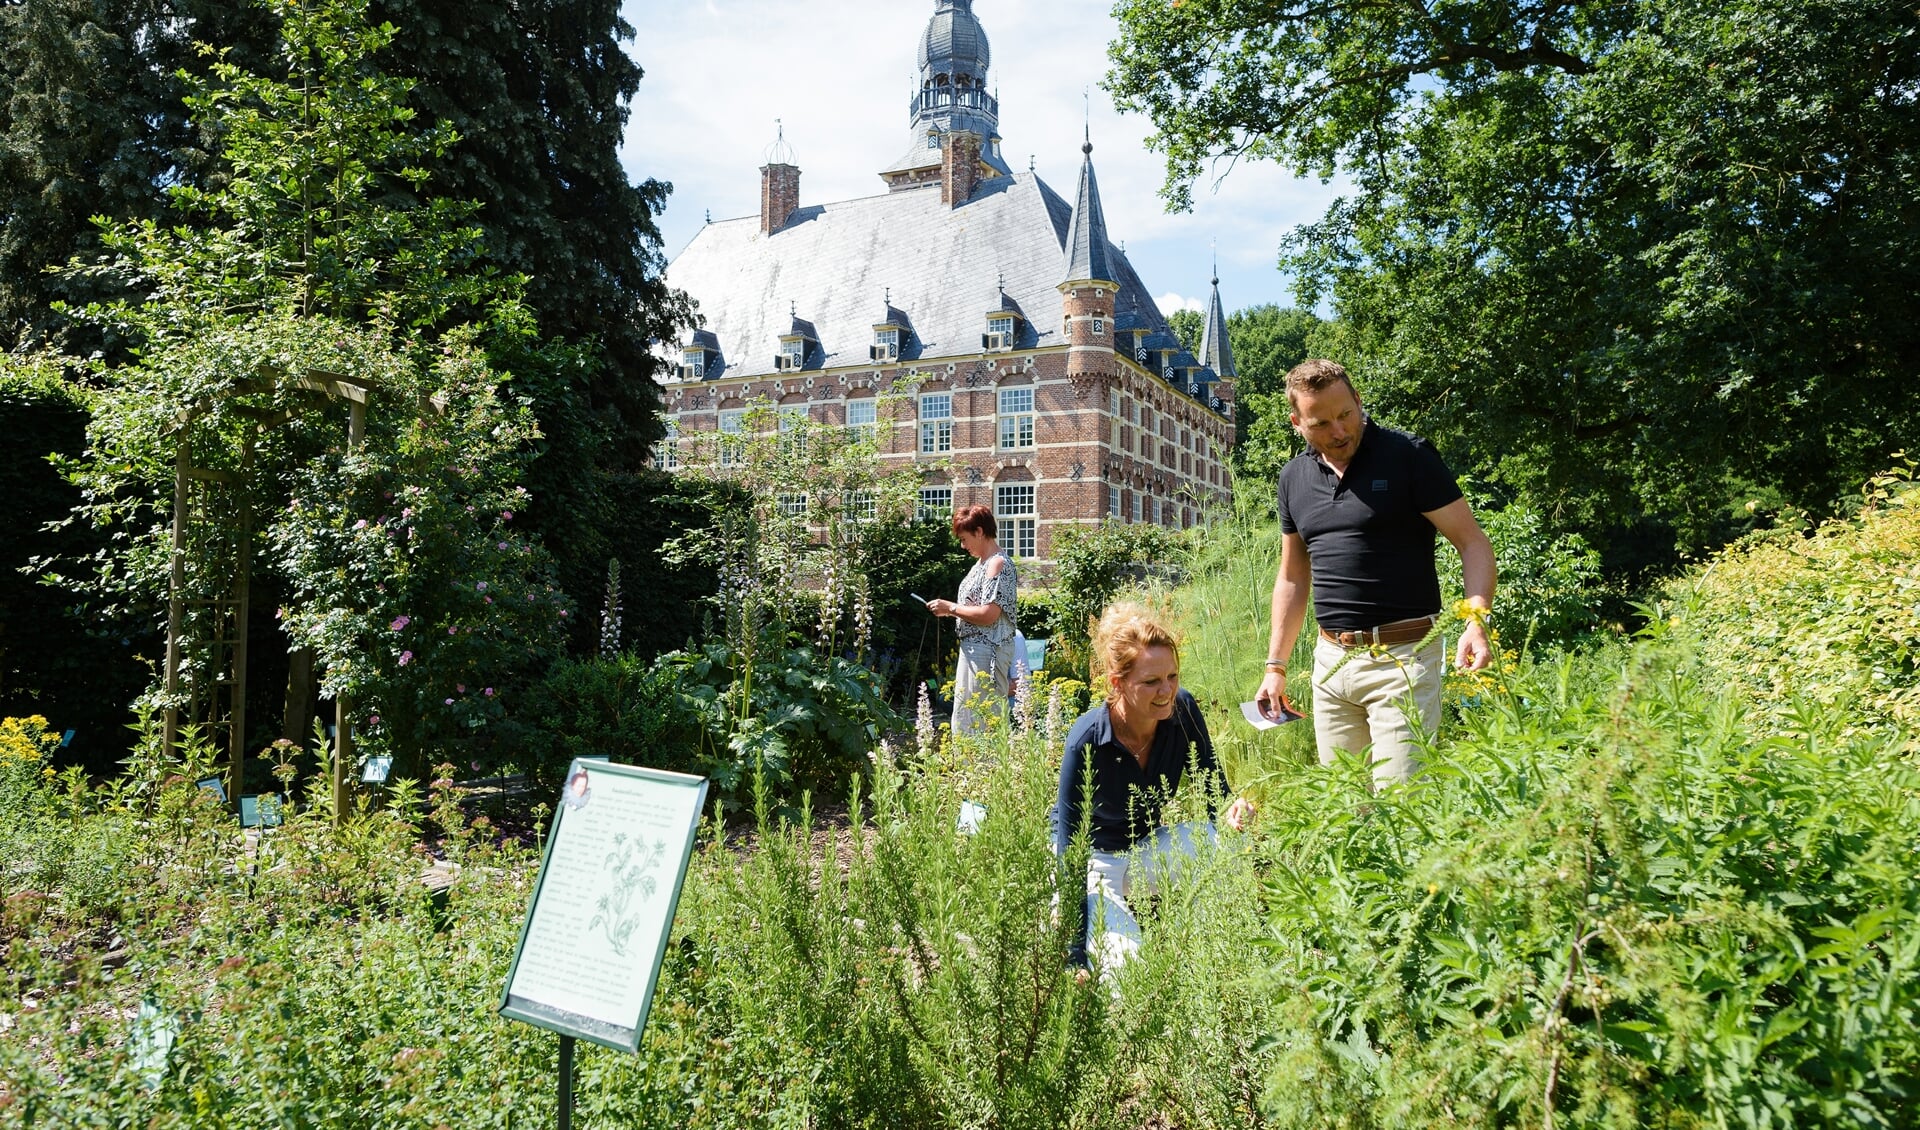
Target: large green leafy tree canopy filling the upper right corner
x=1620, y=258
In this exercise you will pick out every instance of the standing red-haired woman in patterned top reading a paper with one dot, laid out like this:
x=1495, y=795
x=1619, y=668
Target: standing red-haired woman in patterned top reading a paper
x=984, y=623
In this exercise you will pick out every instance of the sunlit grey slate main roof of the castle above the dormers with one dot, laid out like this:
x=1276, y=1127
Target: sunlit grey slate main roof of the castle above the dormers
x=944, y=266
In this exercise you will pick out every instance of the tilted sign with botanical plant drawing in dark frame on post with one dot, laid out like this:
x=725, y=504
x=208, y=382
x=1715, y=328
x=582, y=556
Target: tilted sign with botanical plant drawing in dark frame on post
x=604, y=905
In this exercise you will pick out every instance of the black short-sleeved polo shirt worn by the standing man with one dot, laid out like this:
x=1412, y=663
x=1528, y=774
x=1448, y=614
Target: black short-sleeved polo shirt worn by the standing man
x=1368, y=532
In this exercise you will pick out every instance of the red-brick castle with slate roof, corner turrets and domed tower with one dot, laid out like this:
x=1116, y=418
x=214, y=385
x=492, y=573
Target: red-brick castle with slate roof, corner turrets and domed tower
x=1045, y=383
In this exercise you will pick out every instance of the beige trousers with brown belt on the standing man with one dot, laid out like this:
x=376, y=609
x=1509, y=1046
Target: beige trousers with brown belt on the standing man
x=1381, y=703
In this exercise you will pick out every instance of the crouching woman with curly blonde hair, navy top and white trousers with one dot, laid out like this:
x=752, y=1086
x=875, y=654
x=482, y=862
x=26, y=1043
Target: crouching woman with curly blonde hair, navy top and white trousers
x=1126, y=759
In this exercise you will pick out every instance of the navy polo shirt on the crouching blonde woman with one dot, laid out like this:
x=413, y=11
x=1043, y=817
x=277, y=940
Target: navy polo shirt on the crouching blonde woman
x=1128, y=799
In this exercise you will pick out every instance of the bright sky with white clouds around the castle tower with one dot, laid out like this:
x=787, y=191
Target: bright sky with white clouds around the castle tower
x=838, y=78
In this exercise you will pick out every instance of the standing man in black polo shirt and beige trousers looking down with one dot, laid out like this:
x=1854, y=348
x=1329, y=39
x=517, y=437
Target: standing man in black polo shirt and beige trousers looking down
x=1358, y=515
